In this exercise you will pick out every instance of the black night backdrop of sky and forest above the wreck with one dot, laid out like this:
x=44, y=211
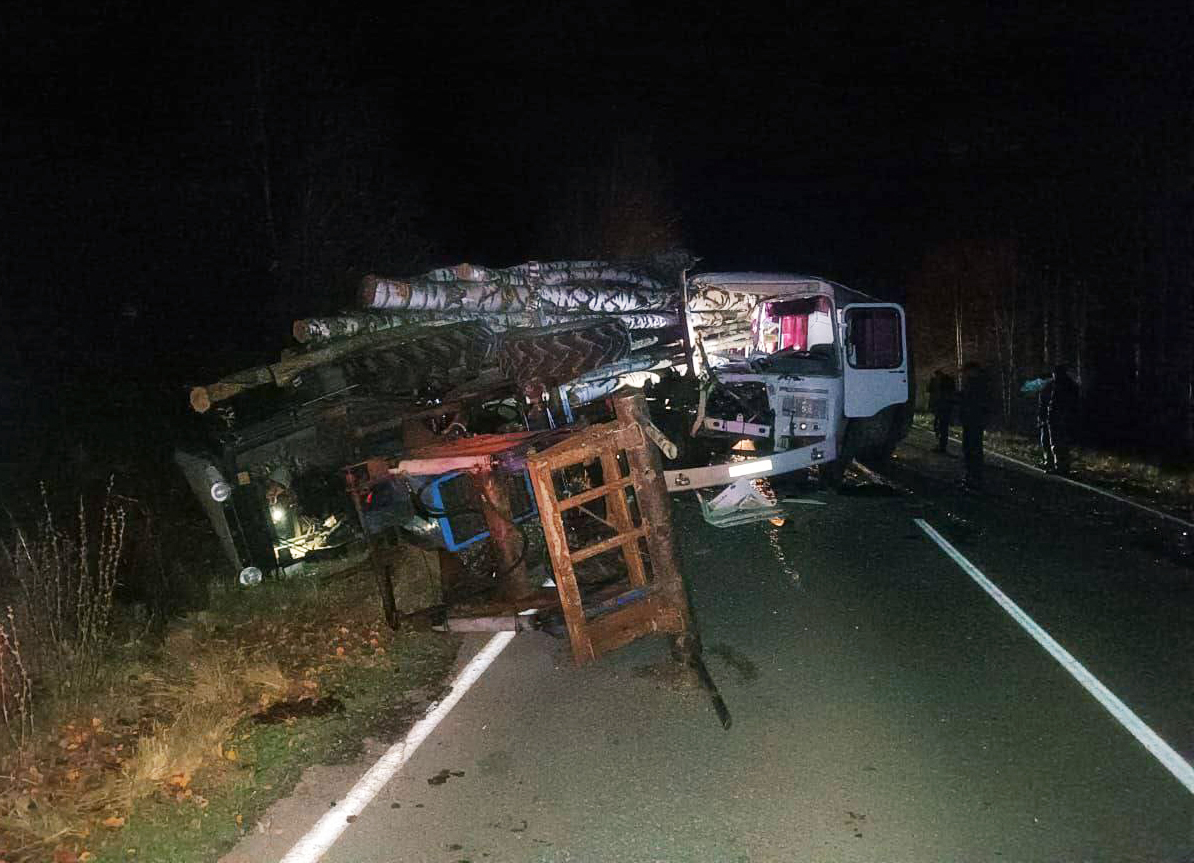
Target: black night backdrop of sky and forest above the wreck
x=180, y=186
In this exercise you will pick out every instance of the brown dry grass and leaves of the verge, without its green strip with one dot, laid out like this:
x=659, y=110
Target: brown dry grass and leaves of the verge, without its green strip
x=162, y=728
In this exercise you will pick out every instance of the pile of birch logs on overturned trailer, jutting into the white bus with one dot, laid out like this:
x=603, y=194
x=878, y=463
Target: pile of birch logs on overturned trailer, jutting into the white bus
x=648, y=300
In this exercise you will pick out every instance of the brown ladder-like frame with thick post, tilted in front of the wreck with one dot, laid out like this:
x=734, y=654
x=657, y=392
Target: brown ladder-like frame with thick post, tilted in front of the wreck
x=655, y=601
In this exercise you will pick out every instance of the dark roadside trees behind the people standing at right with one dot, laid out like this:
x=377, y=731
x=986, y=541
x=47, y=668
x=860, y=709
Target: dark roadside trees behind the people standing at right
x=1094, y=270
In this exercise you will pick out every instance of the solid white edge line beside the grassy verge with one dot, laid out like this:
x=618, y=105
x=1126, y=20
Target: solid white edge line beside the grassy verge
x=328, y=830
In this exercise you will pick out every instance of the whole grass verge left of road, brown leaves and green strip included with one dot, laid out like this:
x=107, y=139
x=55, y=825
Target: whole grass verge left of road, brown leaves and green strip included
x=188, y=744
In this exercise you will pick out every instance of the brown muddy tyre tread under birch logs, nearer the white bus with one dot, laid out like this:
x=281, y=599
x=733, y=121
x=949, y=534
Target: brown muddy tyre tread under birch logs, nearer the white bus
x=551, y=356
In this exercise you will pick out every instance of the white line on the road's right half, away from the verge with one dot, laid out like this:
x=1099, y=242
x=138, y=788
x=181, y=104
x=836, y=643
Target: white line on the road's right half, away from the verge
x=1162, y=751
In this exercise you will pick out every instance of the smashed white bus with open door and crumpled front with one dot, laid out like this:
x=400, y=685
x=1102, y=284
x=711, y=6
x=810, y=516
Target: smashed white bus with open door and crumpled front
x=820, y=379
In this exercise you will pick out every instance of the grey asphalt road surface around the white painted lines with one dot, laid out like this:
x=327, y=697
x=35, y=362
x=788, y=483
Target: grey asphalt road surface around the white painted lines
x=885, y=708
